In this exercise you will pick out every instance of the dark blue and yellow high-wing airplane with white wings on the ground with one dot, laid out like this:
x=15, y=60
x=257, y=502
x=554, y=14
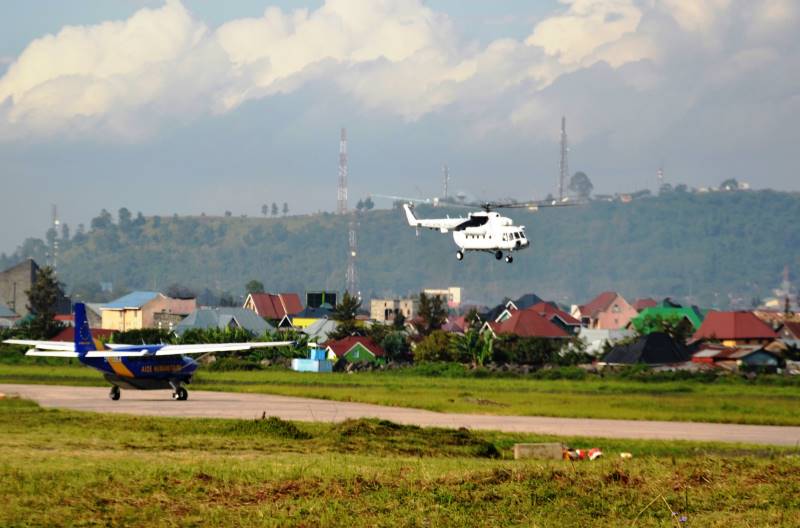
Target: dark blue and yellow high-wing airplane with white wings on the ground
x=142, y=367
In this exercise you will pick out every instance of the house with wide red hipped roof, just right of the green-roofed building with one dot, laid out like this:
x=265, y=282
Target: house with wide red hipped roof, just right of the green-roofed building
x=735, y=329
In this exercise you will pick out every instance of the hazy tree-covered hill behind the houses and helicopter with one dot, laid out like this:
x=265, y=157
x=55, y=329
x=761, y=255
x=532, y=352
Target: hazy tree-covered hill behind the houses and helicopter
x=705, y=247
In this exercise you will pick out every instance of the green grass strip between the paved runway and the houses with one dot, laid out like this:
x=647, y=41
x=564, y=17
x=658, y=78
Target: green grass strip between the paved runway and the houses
x=734, y=401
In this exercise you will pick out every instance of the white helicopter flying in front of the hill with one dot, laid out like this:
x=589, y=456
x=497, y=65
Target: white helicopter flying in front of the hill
x=484, y=230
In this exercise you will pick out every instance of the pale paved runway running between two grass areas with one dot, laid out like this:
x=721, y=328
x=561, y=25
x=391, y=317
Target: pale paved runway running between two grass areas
x=239, y=405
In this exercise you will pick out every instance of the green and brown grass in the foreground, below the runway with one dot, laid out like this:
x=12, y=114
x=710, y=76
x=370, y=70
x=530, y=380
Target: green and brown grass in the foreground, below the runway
x=66, y=468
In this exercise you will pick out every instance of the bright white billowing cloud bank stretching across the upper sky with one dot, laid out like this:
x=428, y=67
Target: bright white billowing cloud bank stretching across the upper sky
x=126, y=79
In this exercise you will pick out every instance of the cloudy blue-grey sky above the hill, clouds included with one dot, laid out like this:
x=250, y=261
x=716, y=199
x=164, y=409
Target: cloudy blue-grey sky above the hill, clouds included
x=200, y=106
